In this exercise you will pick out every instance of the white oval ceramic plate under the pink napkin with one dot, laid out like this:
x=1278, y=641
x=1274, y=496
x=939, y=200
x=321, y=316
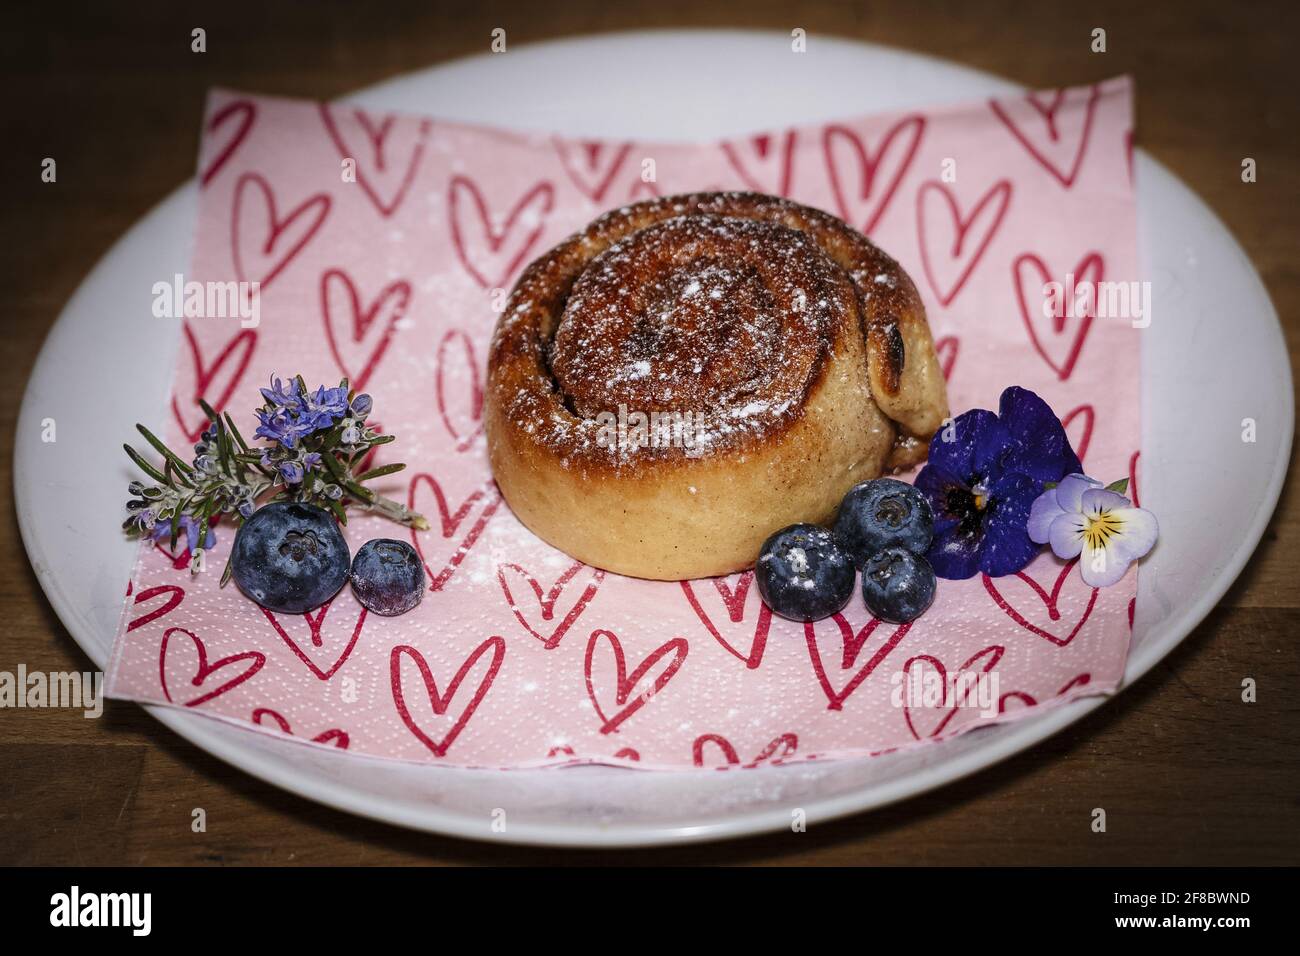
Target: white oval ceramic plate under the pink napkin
x=1201, y=380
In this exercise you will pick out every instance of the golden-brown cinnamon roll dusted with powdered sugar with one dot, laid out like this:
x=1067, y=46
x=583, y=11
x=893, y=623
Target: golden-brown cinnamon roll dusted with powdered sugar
x=691, y=374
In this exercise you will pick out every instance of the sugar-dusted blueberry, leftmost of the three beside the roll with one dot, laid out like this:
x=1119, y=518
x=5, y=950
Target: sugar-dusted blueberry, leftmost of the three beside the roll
x=804, y=574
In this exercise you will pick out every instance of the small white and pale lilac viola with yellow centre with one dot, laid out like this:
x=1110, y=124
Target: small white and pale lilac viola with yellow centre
x=1082, y=520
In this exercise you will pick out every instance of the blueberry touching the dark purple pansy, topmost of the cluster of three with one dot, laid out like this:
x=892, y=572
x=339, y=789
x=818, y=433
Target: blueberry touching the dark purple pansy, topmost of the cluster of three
x=883, y=514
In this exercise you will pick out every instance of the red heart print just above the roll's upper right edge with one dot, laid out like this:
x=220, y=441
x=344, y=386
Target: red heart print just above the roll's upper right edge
x=864, y=181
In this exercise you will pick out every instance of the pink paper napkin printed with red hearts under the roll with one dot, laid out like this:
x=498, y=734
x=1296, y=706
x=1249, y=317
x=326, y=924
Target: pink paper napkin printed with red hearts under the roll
x=519, y=656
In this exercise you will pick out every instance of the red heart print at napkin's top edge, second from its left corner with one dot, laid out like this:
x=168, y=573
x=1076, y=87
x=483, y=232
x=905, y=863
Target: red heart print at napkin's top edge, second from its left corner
x=387, y=152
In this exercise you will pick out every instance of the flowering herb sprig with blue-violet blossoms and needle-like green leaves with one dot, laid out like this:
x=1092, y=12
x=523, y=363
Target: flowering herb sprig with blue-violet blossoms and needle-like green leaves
x=318, y=440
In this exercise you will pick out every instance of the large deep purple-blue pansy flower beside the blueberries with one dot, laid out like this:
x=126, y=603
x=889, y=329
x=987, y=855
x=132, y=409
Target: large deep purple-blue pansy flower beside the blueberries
x=982, y=479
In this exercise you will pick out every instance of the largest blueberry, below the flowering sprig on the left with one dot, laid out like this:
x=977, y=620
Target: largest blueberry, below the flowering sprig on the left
x=291, y=557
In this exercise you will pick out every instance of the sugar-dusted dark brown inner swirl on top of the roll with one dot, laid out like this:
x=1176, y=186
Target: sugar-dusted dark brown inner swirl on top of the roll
x=721, y=317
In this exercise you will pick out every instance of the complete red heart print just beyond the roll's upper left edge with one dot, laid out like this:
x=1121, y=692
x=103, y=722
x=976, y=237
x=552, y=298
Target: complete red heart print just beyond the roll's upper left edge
x=489, y=248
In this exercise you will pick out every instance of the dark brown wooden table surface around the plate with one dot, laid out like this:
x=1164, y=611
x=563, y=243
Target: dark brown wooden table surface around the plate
x=1188, y=773
